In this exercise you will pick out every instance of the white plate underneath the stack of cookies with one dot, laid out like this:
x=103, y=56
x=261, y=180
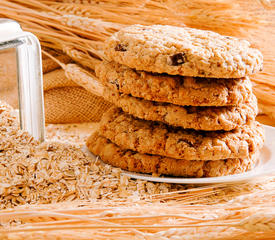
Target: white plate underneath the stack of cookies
x=265, y=166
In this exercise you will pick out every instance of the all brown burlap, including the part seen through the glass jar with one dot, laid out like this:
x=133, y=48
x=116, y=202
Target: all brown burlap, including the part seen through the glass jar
x=65, y=101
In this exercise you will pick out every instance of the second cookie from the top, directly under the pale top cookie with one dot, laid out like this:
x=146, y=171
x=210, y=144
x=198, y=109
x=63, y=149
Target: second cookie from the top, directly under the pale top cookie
x=178, y=90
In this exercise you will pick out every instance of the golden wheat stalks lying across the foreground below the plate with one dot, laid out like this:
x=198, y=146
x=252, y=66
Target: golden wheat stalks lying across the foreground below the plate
x=174, y=221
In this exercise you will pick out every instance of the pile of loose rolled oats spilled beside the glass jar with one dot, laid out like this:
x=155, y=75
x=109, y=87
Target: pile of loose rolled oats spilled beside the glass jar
x=58, y=170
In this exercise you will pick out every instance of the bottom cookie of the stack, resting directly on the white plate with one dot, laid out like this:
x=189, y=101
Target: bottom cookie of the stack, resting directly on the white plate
x=129, y=160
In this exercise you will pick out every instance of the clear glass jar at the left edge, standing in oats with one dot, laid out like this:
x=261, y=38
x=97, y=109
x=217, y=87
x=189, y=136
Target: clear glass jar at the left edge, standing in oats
x=21, y=76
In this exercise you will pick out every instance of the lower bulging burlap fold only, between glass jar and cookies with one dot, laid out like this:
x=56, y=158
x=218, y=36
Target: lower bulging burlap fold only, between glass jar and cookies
x=72, y=105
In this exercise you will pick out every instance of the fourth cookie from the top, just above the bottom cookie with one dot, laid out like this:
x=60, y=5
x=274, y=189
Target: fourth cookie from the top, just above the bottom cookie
x=157, y=138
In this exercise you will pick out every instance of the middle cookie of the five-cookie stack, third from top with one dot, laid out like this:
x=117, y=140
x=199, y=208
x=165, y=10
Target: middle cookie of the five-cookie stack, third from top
x=198, y=118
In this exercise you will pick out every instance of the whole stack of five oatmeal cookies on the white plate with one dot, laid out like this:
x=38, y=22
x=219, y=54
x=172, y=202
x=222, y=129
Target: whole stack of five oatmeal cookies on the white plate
x=184, y=103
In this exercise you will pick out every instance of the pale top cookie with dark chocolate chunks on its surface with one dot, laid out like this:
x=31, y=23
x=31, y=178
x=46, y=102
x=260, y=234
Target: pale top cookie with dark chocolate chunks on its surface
x=183, y=51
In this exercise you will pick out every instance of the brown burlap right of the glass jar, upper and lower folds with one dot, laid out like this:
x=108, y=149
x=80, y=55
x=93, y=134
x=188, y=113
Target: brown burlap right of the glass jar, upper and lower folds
x=67, y=102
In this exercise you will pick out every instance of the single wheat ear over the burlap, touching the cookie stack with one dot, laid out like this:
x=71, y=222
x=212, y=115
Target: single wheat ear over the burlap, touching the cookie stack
x=84, y=79
